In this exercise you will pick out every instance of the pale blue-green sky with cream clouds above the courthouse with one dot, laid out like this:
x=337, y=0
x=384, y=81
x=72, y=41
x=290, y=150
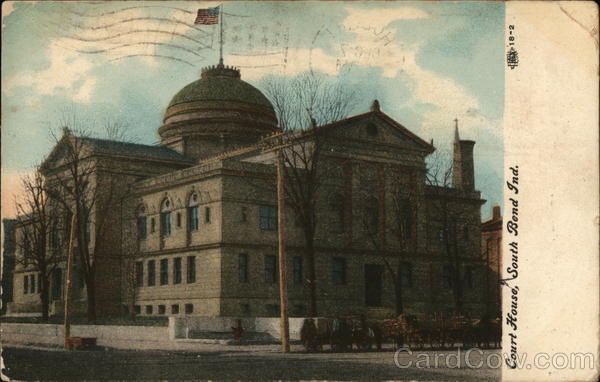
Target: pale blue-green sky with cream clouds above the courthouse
x=426, y=62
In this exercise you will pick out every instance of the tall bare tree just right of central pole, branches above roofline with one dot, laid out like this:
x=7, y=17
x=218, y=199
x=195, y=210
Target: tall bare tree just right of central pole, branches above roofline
x=302, y=104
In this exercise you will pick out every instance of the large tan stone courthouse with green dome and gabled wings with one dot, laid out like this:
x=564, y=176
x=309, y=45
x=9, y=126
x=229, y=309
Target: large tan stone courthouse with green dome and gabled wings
x=195, y=232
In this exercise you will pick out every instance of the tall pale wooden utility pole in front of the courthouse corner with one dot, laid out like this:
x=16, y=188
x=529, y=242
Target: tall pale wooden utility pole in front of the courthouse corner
x=285, y=329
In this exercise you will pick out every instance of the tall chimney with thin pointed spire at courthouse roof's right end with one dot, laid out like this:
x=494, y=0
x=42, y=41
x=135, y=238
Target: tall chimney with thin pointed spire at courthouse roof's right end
x=463, y=172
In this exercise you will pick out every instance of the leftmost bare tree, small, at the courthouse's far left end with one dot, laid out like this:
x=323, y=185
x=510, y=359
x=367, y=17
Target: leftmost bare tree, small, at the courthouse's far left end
x=39, y=237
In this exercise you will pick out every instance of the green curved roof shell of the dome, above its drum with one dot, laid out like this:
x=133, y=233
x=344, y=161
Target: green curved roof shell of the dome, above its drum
x=220, y=84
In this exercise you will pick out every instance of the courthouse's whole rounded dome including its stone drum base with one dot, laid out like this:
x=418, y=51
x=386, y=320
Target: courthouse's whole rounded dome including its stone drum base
x=216, y=113
